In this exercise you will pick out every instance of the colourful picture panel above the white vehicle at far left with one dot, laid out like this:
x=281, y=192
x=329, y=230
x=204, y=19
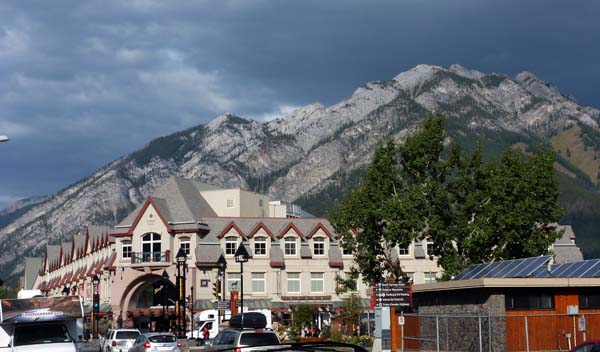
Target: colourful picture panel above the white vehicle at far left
x=40, y=309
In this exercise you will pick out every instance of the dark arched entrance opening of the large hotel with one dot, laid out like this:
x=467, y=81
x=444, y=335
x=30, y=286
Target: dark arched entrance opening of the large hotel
x=150, y=305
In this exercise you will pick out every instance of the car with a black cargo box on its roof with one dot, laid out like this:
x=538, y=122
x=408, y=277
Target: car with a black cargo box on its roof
x=246, y=333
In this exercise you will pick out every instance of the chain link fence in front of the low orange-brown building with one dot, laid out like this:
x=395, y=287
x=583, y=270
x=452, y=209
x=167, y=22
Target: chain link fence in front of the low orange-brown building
x=534, y=332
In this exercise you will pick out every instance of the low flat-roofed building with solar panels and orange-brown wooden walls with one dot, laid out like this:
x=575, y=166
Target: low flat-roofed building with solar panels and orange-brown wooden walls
x=528, y=304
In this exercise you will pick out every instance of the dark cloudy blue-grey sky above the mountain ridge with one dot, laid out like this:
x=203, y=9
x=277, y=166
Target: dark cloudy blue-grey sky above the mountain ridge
x=83, y=83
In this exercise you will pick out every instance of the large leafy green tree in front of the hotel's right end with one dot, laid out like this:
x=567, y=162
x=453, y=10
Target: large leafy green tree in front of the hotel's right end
x=473, y=210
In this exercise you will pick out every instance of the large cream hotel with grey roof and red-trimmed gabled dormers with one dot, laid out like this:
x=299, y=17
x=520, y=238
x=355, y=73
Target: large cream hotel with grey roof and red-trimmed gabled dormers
x=294, y=258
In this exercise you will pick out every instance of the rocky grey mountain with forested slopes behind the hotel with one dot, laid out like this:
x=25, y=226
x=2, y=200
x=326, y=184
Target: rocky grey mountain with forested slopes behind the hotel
x=316, y=153
